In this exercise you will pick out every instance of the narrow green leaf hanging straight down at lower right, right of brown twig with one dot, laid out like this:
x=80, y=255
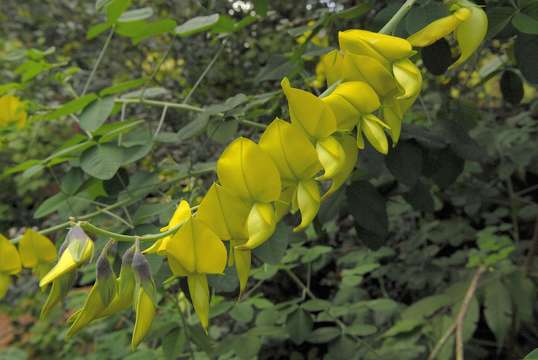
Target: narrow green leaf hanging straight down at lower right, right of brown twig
x=498, y=310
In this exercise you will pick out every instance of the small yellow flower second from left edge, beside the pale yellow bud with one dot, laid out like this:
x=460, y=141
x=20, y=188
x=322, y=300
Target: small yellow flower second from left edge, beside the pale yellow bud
x=37, y=252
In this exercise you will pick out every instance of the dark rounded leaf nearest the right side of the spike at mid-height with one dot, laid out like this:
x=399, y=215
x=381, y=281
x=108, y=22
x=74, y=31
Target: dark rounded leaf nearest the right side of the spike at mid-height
x=405, y=162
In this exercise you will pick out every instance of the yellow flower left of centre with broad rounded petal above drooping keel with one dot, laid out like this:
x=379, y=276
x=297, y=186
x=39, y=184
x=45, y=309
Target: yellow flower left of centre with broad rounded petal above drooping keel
x=248, y=172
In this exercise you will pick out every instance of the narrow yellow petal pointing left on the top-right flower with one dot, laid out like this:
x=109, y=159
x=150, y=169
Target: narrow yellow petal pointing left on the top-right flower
x=439, y=28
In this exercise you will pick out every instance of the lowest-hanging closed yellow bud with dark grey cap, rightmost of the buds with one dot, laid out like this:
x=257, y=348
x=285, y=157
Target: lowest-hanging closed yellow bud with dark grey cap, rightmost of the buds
x=145, y=301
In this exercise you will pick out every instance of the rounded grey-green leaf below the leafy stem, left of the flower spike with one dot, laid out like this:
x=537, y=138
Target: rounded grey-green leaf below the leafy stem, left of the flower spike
x=102, y=161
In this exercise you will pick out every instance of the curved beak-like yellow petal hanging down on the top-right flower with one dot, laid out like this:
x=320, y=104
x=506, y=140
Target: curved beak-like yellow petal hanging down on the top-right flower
x=471, y=32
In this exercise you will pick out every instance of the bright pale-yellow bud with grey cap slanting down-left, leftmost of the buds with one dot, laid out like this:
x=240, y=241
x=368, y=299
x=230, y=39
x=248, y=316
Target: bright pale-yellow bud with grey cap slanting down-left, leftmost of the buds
x=75, y=251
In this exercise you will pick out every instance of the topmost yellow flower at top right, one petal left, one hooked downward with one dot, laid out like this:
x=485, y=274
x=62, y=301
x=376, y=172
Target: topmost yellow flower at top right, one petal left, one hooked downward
x=469, y=24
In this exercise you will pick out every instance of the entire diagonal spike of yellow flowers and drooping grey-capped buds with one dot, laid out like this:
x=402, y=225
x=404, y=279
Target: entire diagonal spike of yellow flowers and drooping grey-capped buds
x=296, y=164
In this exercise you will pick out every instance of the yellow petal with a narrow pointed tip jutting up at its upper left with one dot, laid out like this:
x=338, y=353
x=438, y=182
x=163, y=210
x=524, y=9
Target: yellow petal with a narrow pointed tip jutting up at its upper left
x=308, y=112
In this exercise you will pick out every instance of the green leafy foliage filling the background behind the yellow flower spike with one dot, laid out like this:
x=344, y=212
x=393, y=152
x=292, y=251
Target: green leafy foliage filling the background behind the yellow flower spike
x=384, y=269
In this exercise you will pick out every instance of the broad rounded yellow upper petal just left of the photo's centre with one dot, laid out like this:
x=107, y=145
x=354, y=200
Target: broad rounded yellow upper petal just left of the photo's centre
x=248, y=172
